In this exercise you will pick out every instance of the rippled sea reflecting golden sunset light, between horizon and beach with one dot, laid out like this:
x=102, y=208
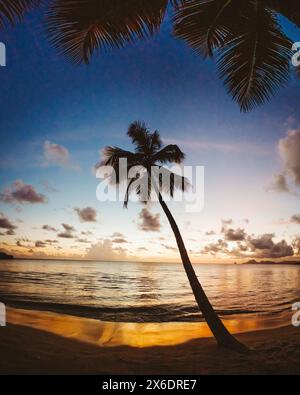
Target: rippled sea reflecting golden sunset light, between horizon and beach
x=147, y=292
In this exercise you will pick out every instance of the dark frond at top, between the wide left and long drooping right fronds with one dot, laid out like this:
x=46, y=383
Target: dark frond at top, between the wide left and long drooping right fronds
x=205, y=24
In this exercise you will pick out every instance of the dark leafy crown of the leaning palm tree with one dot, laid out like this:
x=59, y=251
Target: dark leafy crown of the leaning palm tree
x=147, y=160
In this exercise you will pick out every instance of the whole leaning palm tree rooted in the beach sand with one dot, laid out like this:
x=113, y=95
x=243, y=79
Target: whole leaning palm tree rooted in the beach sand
x=150, y=157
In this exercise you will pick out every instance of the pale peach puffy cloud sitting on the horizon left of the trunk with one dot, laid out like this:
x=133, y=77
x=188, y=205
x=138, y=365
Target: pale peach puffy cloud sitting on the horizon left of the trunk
x=105, y=251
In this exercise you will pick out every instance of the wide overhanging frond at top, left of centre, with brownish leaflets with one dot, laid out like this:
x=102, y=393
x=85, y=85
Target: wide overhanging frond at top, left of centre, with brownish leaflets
x=79, y=27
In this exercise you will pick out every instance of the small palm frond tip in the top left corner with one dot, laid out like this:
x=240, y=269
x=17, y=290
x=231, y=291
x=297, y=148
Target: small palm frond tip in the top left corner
x=13, y=10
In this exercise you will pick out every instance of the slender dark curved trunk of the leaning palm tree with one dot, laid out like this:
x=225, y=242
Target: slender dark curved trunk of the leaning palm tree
x=222, y=335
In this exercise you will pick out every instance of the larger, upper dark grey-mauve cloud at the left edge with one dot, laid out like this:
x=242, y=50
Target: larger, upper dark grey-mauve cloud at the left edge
x=19, y=192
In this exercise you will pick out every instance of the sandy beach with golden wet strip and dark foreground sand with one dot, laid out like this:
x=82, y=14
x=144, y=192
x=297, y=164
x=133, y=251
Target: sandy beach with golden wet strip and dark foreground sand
x=49, y=343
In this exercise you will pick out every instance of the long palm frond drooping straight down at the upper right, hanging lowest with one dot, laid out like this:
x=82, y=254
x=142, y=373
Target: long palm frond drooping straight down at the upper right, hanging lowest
x=255, y=63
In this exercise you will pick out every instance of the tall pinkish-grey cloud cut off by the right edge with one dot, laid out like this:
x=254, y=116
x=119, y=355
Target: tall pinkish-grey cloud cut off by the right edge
x=289, y=151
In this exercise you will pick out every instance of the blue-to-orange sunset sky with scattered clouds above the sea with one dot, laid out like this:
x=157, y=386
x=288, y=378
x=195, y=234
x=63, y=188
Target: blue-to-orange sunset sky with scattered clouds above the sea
x=56, y=118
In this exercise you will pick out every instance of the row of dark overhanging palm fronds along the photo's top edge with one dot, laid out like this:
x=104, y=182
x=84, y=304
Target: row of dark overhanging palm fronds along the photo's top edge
x=251, y=49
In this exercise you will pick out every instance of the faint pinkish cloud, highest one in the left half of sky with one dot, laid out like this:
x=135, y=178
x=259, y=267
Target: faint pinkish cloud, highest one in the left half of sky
x=57, y=155
